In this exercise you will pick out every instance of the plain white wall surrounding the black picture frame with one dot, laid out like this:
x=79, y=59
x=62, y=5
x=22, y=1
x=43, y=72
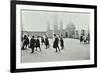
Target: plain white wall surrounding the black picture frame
x=5, y=36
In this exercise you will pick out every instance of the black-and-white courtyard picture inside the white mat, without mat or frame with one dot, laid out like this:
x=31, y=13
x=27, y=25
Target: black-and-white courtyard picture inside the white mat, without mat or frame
x=48, y=36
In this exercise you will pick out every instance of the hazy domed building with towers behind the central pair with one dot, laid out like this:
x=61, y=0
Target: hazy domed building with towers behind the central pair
x=68, y=32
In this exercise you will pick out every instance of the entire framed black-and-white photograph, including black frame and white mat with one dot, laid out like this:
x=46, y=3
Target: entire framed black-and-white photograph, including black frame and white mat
x=51, y=36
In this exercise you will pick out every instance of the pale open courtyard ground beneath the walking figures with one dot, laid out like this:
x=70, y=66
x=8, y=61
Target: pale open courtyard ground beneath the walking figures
x=73, y=50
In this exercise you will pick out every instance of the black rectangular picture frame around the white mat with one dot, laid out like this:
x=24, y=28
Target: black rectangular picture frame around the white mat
x=13, y=35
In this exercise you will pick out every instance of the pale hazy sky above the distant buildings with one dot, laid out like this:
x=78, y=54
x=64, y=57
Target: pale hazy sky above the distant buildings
x=38, y=20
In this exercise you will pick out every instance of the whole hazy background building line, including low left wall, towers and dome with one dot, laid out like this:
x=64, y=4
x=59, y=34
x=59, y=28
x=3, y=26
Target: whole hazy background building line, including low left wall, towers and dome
x=69, y=31
